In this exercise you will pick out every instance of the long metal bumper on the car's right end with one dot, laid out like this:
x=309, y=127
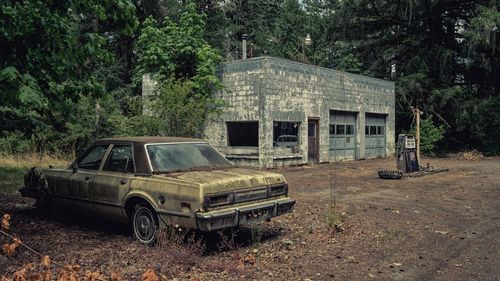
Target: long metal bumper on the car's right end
x=243, y=215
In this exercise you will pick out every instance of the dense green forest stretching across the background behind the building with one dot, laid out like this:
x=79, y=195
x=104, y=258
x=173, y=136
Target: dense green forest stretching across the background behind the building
x=70, y=71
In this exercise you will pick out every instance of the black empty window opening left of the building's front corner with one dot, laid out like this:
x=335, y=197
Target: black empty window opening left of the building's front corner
x=243, y=133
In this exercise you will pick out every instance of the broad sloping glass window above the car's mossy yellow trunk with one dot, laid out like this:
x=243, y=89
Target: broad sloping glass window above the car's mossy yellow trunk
x=184, y=156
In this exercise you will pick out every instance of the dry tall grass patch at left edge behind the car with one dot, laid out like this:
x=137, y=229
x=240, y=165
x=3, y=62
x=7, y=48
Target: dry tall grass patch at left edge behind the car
x=13, y=168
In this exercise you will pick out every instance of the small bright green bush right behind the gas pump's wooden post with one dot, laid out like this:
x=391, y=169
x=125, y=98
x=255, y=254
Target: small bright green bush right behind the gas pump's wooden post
x=430, y=135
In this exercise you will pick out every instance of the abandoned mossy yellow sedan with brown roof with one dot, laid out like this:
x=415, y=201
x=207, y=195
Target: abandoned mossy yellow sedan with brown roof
x=156, y=181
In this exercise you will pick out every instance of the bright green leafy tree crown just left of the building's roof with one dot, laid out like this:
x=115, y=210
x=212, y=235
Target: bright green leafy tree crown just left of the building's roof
x=169, y=49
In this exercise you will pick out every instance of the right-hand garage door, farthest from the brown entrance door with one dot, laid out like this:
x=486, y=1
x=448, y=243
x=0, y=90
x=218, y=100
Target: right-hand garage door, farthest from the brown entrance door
x=375, y=138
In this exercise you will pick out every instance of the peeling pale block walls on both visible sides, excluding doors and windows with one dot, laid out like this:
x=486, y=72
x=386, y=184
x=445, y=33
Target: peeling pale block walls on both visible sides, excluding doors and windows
x=267, y=89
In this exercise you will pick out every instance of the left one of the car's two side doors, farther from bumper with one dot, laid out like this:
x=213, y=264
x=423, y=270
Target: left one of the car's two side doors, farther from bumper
x=75, y=192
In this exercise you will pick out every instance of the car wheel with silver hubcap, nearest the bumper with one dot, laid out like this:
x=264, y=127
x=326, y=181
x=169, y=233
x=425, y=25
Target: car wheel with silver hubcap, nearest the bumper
x=145, y=224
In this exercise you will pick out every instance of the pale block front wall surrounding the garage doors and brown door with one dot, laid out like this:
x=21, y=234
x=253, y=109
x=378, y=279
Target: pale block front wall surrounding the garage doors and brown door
x=296, y=91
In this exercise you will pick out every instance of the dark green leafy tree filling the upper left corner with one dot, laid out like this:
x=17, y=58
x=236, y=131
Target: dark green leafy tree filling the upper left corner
x=52, y=53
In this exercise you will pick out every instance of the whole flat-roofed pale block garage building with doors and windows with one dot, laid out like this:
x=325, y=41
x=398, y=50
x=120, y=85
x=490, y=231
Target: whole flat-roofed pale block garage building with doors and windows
x=288, y=113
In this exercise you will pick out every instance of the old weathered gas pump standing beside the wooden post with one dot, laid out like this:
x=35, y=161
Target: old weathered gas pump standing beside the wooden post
x=406, y=154
